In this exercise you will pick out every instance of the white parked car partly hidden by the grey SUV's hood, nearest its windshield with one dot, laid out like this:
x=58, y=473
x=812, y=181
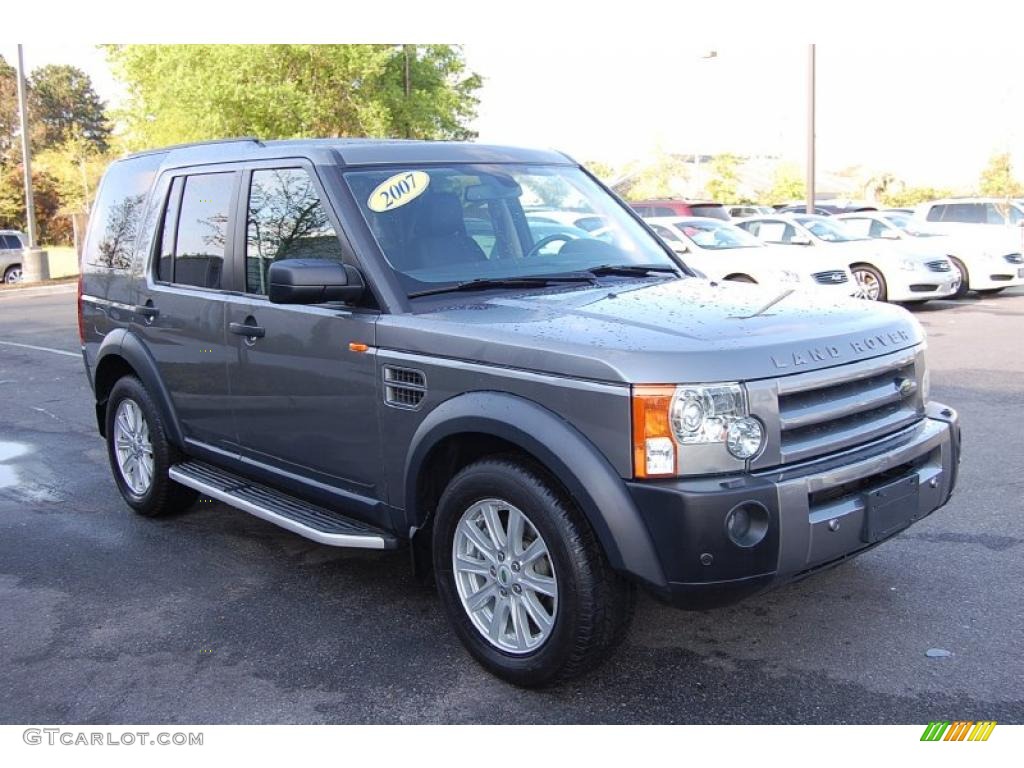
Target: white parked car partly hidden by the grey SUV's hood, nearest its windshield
x=723, y=251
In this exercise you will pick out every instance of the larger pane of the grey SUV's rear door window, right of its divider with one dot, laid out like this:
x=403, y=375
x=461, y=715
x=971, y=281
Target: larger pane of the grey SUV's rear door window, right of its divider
x=202, y=236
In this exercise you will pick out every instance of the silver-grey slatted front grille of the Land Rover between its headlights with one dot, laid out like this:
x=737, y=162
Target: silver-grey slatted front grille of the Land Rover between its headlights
x=838, y=408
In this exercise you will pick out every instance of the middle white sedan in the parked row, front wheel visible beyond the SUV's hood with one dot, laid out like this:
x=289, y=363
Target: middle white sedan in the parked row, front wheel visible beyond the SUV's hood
x=883, y=270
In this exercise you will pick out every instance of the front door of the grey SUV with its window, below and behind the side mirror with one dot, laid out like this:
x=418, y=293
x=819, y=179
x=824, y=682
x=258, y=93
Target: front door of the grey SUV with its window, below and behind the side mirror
x=303, y=377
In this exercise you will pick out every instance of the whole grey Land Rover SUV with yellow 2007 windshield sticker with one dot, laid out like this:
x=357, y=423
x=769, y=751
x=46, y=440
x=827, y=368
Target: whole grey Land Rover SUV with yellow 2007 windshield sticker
x=402, y=345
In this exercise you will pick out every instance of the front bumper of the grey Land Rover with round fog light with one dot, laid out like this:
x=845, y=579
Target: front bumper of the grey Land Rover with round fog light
x=817, y=513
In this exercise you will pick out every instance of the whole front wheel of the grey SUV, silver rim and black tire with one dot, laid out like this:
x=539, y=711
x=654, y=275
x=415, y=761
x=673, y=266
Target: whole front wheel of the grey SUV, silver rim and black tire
x=523, y=578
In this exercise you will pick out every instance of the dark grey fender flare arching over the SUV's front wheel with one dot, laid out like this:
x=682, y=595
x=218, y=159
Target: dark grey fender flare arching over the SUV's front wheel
x=588, y=477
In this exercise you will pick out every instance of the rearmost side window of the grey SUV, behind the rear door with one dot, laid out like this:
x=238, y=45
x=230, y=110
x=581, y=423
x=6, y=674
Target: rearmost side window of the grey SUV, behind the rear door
x=117, y=216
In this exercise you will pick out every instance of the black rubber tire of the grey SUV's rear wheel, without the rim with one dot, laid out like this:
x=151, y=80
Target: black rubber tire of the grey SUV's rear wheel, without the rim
x=163, y=495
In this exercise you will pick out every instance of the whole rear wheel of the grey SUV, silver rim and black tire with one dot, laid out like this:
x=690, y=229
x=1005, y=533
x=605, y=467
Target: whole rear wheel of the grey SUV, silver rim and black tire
x=141, y=454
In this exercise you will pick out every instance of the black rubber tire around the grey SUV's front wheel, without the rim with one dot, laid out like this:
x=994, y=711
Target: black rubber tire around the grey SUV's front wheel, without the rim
x=594, y=604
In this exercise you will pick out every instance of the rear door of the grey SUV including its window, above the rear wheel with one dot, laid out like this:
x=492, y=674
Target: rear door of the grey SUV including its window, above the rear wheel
x=183, y=301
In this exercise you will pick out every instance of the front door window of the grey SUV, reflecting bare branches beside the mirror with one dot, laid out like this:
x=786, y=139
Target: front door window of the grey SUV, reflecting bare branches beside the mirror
x=287, y=221
